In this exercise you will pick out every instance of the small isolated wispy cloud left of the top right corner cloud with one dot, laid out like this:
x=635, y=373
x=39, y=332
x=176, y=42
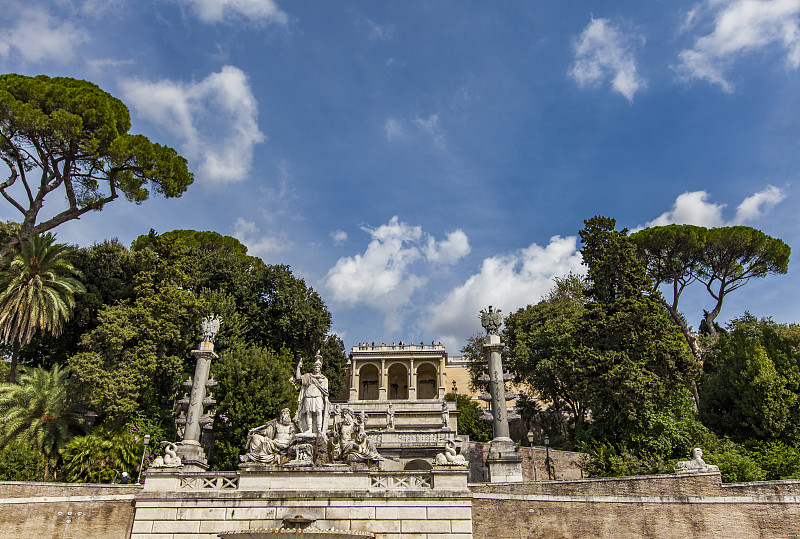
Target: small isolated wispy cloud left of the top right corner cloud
x=604, y=52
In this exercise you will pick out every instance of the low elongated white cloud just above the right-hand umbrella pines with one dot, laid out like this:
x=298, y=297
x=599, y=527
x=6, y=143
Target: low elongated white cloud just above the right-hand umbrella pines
x=692, y=208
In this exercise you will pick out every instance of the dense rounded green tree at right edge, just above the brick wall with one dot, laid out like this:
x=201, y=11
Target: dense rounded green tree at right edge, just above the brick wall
x=751, y=383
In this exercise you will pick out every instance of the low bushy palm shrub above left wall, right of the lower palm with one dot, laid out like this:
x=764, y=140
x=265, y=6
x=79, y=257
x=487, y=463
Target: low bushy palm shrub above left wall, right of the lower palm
x=102, y=455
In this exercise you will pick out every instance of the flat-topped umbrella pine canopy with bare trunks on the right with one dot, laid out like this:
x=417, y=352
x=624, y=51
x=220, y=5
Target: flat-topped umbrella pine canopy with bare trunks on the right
x=723, y=259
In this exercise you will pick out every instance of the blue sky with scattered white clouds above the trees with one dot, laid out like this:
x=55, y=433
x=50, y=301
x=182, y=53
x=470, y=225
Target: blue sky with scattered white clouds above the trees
x=417, y=161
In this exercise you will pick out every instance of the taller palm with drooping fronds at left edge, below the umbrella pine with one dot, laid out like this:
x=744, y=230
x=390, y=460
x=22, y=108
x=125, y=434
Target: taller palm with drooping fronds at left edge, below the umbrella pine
x=37, y=291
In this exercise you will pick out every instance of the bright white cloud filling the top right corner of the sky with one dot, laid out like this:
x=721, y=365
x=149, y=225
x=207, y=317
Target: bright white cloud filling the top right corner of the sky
x=740, y=27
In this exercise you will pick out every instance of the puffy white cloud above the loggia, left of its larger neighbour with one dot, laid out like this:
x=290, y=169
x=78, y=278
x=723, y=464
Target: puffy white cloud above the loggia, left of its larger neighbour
x=382, y=276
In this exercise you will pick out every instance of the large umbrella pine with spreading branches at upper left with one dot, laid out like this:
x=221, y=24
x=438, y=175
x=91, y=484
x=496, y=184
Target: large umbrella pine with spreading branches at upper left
x=68, y=135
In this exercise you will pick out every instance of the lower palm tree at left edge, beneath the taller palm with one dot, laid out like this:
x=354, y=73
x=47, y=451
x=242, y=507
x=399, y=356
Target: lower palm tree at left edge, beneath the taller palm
x=37, y=412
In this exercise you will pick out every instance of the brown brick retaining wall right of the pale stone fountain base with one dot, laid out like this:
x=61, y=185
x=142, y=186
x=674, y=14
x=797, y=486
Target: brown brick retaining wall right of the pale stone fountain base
x=667, y=506
